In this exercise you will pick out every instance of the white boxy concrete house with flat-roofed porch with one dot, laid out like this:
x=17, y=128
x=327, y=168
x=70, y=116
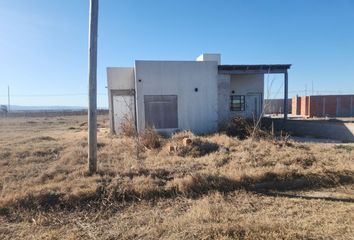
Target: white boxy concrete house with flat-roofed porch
x=196, y=95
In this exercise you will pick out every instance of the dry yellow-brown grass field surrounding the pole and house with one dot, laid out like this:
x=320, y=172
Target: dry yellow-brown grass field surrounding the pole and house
x=218, y=188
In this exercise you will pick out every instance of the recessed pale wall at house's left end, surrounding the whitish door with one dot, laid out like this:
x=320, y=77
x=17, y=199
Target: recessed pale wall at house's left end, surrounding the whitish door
x=118, y=78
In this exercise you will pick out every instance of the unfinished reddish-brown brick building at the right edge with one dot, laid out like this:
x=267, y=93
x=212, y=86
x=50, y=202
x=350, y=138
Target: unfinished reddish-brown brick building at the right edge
x=323, y=106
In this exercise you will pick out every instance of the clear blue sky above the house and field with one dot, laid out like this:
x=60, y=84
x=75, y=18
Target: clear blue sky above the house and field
x=43, y=43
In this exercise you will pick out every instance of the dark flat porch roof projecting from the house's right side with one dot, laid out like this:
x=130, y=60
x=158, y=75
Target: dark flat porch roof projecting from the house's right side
x=254, y=68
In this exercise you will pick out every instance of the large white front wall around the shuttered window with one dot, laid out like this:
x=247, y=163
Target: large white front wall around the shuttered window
x=197, y=111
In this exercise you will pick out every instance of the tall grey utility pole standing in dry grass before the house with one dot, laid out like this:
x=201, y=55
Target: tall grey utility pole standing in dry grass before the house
x=92, y=114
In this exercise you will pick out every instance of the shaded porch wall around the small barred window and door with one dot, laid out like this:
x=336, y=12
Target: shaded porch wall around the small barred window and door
x=247, y=84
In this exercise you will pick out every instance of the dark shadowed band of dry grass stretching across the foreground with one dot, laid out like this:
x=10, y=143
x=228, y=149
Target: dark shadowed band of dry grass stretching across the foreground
x=191, y=186
